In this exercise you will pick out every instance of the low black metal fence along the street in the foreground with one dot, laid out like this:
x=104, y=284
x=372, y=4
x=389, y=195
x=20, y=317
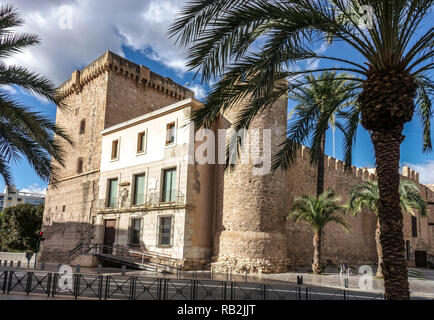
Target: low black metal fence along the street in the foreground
x=104, y=287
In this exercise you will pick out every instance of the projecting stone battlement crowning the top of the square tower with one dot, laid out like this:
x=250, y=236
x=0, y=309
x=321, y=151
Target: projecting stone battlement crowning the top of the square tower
x=110, y=62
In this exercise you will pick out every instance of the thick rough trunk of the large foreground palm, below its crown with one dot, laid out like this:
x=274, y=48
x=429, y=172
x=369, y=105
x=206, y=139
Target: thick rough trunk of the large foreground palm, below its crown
x=387, y=152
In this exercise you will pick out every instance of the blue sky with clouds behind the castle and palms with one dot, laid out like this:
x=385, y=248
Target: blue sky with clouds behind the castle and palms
x=138, y=32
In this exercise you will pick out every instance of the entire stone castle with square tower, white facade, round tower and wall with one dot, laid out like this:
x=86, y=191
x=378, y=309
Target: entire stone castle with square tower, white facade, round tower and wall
x=231, y=218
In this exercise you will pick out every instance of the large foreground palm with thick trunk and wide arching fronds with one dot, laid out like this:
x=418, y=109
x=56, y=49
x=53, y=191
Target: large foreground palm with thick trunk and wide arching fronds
x=250, y=48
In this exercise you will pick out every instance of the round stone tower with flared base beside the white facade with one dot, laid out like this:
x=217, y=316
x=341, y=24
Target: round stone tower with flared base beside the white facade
x=251, y=209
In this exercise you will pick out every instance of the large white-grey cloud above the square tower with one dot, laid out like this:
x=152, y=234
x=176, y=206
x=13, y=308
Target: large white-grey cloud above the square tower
x=96, y=26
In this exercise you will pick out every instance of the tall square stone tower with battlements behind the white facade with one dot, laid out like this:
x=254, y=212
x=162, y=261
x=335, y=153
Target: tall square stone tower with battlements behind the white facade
x=109, y=91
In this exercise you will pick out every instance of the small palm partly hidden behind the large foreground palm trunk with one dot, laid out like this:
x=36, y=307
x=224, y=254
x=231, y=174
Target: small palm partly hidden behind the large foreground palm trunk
x=367, y=195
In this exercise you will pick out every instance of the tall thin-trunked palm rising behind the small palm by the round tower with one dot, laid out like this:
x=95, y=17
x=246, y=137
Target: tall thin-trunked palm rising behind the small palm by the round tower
x=320, y=101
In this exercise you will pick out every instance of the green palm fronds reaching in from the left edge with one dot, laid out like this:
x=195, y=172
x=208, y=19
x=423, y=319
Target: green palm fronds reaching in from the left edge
x=24, y=132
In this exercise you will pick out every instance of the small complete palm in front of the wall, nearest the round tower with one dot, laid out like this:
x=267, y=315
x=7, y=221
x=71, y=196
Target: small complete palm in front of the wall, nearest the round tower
x=318, y=212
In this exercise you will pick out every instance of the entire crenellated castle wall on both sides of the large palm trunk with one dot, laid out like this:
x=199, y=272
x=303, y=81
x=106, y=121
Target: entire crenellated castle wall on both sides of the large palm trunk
x=358, y=246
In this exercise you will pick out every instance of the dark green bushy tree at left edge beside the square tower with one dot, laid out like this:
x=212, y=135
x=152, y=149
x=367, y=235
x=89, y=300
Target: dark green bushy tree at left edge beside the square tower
x=19, y=225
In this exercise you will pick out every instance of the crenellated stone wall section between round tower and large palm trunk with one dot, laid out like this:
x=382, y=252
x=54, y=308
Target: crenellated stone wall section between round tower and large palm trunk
x=354, y=247
